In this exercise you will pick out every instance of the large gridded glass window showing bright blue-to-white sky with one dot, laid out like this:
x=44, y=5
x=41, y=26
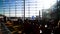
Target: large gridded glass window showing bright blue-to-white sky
x=15, y=8
